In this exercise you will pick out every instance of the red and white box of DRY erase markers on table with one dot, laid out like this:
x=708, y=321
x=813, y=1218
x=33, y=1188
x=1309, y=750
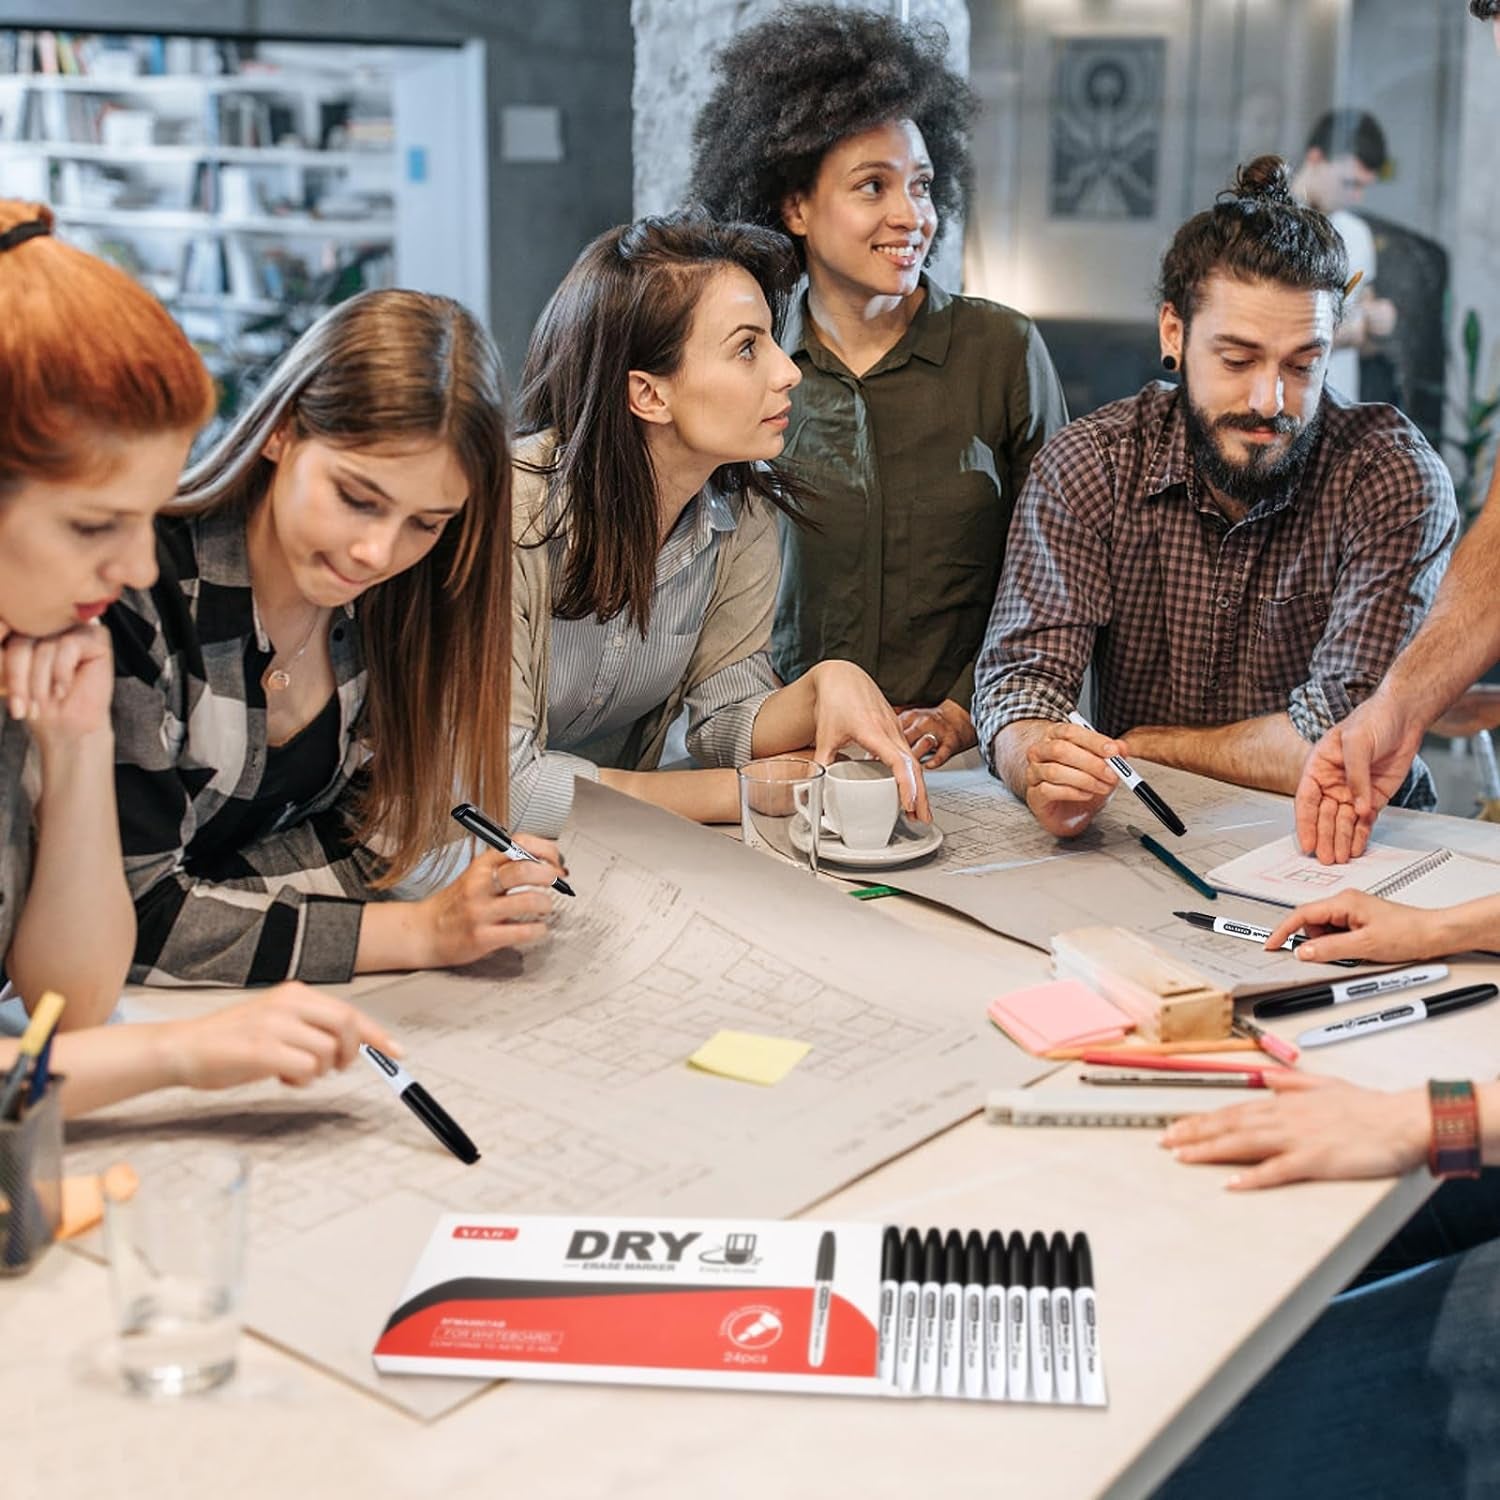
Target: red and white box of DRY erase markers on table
x=754, y=1306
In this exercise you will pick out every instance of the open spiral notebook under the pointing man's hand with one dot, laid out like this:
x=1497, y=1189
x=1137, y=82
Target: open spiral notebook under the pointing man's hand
x=1429, y=878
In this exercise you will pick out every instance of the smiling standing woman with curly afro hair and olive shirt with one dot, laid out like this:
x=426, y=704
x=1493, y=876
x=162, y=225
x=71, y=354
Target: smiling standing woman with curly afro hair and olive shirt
x=919, y=412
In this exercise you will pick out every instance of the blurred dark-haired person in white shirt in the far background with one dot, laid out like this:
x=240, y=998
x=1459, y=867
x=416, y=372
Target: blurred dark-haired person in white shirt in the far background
x=1345, y=155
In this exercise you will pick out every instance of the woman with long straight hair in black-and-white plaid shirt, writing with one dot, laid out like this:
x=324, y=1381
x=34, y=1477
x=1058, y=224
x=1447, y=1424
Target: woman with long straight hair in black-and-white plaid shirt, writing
x=323, y=665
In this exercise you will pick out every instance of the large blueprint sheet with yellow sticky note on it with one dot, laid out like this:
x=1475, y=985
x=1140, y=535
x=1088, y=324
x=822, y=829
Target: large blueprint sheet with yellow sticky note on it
x=568, y=1067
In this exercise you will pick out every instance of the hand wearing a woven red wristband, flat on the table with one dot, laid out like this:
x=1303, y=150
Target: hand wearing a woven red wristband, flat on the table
x=1309, y=1129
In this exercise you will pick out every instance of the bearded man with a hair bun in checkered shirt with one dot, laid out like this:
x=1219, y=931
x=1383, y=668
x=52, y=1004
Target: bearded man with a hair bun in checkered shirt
x=1240, y=559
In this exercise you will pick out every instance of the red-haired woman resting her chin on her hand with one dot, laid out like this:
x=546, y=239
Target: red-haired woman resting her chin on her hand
x=94, y=434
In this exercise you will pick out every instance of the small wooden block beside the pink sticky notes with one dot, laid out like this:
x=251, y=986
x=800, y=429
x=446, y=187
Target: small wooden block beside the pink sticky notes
x=1166, y=998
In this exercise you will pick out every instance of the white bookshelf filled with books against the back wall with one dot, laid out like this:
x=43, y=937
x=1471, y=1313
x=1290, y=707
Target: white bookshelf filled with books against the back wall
x=250, y=200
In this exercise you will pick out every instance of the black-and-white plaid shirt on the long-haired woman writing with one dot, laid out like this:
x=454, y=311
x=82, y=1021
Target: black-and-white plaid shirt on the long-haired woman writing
x=191, y=752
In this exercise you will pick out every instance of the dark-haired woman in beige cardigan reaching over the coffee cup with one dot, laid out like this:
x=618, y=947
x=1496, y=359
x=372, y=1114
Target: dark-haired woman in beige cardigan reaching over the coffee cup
x=653, y=406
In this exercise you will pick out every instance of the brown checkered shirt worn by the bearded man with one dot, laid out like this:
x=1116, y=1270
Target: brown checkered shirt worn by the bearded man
x=1120, y=557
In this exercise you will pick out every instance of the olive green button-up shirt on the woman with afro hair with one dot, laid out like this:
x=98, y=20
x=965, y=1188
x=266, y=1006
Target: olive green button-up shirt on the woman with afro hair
x=914, y=469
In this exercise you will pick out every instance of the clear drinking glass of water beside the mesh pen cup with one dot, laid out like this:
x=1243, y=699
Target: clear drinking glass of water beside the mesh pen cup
x=176, y=1234
